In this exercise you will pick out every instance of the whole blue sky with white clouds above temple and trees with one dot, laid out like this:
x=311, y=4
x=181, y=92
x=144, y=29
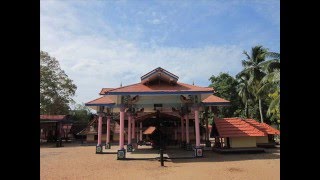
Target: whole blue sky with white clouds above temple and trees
x=102, y=43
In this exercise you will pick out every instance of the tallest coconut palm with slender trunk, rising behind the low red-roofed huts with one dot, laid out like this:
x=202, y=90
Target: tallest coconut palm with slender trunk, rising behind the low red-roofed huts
x=253, y=66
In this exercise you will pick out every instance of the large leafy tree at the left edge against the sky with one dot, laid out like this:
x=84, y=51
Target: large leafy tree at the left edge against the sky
x=56, y=88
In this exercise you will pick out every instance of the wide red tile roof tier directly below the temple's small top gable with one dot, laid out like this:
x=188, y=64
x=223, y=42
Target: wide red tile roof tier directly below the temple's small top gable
x=140, y=87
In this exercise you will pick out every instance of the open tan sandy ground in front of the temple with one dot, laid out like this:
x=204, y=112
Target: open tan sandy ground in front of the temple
x=81, y=162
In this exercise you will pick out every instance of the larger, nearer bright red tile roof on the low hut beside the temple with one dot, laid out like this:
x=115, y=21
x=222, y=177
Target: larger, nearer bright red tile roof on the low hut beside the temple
x=236, y=127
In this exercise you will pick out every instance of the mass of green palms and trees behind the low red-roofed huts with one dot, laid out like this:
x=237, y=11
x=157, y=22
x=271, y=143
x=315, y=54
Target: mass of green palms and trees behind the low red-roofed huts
x=255, y=93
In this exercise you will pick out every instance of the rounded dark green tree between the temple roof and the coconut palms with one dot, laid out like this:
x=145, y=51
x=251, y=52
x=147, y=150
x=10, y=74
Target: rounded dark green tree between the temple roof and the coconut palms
x=226, y=87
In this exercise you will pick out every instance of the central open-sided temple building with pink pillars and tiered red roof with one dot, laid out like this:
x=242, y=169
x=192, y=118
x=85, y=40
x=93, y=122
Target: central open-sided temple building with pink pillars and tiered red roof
x=158, y=100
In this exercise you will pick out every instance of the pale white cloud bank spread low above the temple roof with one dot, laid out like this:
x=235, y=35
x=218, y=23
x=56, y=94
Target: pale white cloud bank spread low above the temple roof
x=96, y=60
